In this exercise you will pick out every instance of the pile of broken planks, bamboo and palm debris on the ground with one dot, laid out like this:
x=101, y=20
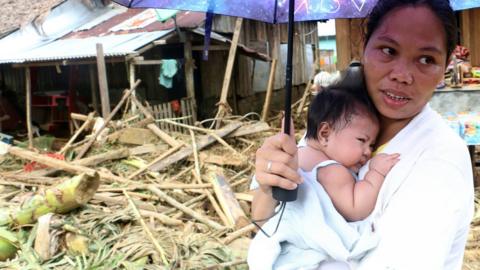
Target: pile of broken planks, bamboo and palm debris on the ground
x=124, y=194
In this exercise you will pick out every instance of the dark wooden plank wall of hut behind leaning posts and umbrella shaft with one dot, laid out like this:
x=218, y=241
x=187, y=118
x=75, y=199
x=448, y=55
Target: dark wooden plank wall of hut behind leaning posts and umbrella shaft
x=266, y=38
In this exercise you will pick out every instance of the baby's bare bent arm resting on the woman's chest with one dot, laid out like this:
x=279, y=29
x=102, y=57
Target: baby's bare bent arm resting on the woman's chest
x=356, y=200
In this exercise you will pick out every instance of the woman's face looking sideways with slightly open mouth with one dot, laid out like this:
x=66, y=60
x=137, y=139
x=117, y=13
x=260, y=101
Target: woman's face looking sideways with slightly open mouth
x=404, y=60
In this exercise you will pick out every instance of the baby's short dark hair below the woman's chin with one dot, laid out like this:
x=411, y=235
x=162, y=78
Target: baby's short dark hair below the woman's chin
x=339, y=102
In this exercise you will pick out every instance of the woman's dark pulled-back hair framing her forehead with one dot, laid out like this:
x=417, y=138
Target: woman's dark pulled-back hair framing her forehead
x=441, y=8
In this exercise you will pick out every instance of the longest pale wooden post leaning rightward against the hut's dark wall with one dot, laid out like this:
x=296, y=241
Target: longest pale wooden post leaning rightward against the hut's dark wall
x=223, y=104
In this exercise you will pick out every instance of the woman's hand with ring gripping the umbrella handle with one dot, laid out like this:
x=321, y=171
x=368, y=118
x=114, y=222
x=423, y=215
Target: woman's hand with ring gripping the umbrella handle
x=276, y=163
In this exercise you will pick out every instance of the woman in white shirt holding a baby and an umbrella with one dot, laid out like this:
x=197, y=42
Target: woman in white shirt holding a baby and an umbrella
x=425, y=205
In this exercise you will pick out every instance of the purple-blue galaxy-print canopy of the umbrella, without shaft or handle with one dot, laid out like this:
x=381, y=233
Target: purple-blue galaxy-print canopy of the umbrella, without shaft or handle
x=276, y=11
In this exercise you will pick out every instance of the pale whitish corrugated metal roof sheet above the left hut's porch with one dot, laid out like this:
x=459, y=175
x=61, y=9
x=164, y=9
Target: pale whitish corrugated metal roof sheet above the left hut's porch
x=114, y=45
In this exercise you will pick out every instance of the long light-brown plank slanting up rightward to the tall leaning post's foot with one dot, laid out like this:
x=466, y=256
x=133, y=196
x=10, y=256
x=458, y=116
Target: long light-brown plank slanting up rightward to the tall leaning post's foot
x=203, y=142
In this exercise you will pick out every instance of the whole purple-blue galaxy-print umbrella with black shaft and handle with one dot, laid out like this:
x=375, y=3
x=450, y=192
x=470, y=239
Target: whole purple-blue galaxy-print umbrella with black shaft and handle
x=278, y=11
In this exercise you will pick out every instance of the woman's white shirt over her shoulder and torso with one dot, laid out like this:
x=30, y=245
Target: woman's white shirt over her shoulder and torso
x=425, y=206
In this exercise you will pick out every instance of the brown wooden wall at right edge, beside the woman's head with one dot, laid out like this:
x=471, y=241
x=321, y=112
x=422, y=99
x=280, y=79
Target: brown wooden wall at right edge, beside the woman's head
x=470, y=33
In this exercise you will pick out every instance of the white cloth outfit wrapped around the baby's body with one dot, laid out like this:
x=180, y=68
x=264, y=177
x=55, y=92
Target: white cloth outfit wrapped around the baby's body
x=311, y=231
